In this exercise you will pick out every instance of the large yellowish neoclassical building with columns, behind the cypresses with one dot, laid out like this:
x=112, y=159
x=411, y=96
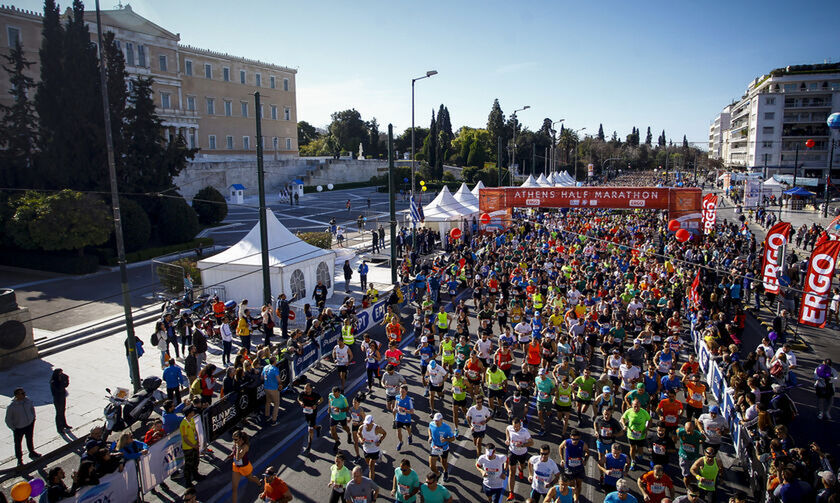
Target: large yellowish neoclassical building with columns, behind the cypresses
x=203, y=95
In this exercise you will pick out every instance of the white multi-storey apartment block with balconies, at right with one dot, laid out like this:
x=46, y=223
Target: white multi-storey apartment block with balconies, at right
x=776, y=115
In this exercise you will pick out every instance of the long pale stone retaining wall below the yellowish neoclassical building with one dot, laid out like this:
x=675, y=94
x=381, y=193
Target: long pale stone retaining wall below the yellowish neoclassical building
x=221, y=173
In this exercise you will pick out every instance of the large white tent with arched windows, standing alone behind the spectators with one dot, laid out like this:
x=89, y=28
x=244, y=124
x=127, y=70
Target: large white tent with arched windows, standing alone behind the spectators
x=295, y=266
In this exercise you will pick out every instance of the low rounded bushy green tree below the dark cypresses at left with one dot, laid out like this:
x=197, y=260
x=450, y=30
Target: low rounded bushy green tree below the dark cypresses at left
x=66, y=220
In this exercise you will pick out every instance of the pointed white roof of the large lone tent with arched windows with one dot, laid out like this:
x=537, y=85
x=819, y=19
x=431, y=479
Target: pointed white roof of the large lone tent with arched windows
x=284, y=248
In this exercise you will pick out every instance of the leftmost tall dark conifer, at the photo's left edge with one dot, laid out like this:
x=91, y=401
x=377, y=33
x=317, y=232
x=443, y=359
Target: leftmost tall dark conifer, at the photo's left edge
x=17, y=124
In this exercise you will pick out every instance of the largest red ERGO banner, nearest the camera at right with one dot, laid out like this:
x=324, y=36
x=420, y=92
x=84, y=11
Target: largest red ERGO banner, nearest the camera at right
x=818, y=284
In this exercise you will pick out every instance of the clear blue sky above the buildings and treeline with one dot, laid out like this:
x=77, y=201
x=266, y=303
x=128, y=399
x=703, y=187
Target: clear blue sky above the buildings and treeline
x=668, y=64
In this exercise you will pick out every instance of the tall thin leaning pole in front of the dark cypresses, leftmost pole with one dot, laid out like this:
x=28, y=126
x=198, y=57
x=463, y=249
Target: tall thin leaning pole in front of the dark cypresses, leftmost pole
x=131, y=340
